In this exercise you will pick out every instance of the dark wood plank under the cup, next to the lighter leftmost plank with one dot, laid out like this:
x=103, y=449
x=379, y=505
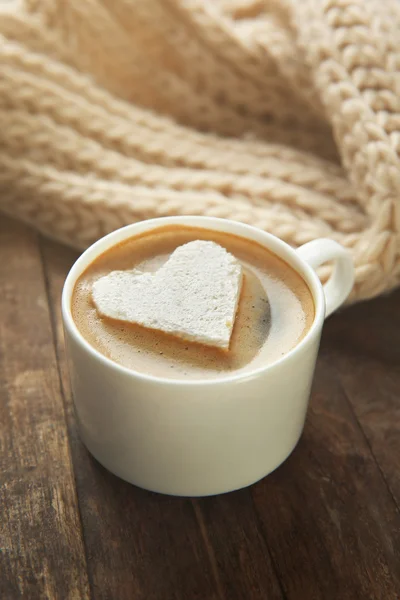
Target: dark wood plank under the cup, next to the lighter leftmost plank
x=143, y=545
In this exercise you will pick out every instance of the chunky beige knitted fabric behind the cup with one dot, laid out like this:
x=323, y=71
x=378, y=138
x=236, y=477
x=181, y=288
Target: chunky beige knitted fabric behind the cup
x=280, y=113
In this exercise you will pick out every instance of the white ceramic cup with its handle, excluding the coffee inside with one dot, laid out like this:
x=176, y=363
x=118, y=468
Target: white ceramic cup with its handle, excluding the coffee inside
x=200, y=437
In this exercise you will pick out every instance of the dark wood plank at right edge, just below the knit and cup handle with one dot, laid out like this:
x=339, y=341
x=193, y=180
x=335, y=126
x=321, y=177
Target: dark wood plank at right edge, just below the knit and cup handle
x=366, y=342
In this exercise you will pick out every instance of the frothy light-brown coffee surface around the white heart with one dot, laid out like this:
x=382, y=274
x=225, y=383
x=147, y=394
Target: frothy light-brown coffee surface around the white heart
x=276, y=310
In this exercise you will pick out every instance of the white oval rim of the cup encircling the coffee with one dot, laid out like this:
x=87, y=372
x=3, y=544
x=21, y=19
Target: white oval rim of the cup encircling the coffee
x=283, y=250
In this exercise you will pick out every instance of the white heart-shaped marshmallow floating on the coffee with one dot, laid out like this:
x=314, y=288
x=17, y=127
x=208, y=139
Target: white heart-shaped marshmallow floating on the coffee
x=194, y=295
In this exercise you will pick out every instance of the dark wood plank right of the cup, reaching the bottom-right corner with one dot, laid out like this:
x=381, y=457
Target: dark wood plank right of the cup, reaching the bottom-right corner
x=331, y=523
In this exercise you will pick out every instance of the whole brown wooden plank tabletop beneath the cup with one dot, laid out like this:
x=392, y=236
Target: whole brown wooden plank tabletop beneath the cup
x=325, y=525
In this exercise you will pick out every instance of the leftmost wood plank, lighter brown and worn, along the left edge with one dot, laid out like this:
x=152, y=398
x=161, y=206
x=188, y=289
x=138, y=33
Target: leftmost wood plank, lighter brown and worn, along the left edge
x=42, y=552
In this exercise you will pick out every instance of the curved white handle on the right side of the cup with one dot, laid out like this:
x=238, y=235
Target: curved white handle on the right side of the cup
x=339, y=285
